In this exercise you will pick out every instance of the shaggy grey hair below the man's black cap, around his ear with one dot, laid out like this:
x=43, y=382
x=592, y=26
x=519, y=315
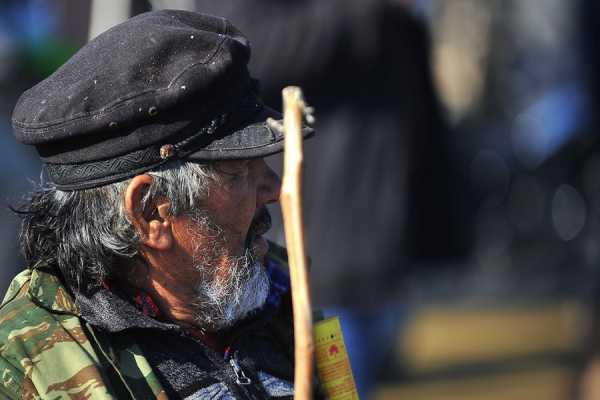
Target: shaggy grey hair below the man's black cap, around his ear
x=86, y=234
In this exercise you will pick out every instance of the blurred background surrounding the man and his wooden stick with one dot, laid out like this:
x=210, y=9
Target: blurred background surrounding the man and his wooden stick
x=452, y=192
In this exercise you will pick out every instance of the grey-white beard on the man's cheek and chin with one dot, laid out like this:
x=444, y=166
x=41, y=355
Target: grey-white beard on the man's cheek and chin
x=221, y=302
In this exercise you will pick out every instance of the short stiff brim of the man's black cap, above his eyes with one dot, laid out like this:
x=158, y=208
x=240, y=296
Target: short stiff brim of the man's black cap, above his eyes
x=255, y=139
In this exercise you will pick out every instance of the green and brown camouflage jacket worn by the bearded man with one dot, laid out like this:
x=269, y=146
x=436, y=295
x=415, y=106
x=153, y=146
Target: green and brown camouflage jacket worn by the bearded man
x=47, y=351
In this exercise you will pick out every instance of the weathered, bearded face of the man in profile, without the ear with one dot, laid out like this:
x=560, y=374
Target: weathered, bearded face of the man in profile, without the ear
x=224, y=244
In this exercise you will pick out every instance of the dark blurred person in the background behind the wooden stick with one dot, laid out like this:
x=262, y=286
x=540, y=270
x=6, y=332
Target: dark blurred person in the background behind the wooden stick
x=378, y=181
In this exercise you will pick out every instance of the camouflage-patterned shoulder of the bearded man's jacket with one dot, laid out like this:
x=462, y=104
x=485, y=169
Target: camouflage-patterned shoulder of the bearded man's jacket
x=40, y=347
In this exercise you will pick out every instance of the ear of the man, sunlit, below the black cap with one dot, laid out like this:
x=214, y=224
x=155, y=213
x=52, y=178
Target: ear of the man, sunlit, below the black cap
x=154, y=229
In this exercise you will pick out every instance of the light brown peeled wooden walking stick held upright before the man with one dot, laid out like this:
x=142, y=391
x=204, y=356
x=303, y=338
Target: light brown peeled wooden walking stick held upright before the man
x=291, y=202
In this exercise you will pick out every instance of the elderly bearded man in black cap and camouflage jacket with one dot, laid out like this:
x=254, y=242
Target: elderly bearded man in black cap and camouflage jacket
x=147, y=273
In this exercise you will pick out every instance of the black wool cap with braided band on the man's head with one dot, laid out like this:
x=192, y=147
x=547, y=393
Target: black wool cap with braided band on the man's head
x=163, y=85
